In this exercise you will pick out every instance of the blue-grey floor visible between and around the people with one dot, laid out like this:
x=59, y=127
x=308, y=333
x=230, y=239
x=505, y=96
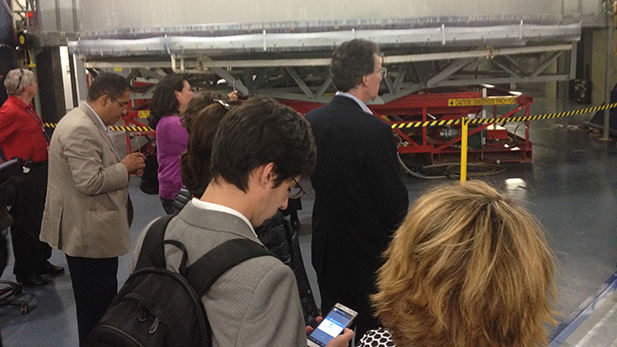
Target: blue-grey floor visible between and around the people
x=570, y=186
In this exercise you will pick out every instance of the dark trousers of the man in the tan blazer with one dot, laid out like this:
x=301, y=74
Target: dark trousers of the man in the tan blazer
x=95, y=284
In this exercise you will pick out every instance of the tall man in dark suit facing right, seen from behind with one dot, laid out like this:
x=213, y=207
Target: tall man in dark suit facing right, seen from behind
x=359, y=196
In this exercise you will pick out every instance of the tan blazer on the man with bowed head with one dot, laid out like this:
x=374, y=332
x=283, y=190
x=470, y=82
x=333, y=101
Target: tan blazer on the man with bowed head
x=87, y=193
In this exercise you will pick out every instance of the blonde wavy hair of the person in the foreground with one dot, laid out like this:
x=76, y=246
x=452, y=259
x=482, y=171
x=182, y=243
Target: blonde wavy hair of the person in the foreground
x=468, y=267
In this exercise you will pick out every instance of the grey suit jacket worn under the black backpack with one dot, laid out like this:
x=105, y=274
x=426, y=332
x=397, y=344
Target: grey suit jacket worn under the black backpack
x=256, y=303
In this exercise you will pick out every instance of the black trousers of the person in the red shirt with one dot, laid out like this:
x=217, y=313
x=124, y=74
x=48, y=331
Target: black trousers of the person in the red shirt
x=27, y=211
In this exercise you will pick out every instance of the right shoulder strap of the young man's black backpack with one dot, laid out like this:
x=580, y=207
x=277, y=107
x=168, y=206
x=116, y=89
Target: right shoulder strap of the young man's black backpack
x=207, y=269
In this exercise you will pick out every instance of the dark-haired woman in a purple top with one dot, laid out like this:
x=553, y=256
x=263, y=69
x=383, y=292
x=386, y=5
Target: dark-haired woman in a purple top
x=171, y=97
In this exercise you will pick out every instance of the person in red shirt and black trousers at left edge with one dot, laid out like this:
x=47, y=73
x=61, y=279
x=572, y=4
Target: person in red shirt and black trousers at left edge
x=22, y=135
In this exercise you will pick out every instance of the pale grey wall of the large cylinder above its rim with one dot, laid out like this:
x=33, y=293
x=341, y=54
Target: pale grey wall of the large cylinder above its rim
x=111, y=15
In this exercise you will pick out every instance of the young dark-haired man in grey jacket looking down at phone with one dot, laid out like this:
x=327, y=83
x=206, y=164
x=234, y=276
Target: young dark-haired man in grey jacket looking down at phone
x=261, y=150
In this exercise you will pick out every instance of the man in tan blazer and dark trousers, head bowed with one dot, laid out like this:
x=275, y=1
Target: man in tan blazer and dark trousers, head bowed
x=87, y=197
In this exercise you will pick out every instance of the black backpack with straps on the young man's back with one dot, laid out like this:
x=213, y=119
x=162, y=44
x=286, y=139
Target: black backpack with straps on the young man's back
x=158, y=307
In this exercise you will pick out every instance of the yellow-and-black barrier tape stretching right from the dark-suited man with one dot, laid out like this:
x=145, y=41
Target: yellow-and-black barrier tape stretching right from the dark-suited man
x=407, y=125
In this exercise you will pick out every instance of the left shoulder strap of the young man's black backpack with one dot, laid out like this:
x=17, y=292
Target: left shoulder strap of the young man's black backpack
x=154, y=237
